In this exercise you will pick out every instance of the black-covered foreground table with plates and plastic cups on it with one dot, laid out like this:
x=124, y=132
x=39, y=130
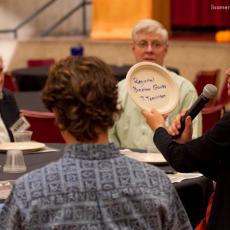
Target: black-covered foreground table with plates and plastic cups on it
x=194, y=193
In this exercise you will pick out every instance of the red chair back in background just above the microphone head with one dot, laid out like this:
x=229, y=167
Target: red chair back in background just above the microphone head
x=205, y=77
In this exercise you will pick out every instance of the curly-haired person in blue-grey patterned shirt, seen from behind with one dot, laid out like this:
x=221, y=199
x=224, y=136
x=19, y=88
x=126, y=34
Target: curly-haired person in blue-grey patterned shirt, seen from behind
x=93, y=186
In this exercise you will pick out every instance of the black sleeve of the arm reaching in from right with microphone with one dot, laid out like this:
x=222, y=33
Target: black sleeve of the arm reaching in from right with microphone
x=203, y=154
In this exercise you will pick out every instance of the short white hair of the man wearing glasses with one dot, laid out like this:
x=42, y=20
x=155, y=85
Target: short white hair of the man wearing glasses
x=149, y=26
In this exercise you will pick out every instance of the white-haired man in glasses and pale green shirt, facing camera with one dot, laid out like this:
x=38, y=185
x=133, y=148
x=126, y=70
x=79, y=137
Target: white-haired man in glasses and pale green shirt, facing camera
x=149, y=43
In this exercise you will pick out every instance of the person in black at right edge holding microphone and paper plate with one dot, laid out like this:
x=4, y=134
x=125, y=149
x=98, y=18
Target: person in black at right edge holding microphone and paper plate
x=208, y=154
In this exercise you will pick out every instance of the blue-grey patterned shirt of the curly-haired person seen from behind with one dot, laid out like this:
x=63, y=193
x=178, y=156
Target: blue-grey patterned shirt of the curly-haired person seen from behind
x=93, y=187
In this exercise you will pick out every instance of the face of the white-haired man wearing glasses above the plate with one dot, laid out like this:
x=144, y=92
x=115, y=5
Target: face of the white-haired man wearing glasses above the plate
x=149, y=47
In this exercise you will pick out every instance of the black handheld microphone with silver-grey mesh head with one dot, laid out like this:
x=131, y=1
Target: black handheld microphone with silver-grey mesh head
x=209, y=92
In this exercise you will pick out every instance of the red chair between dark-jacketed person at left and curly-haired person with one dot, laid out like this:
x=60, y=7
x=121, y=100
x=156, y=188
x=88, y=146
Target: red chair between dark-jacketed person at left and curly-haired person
x=43, y=126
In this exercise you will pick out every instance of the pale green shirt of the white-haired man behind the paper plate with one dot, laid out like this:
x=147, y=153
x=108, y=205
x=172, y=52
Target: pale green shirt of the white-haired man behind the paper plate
x=132, y=131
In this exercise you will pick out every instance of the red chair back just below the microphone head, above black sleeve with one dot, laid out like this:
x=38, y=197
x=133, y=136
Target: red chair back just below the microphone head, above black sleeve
x=210, y=115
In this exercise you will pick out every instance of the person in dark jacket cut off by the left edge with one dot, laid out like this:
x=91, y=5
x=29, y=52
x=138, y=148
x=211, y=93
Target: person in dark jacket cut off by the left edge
x=9, y=112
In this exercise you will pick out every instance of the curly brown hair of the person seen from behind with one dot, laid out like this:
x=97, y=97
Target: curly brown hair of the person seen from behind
x=83, y=92
